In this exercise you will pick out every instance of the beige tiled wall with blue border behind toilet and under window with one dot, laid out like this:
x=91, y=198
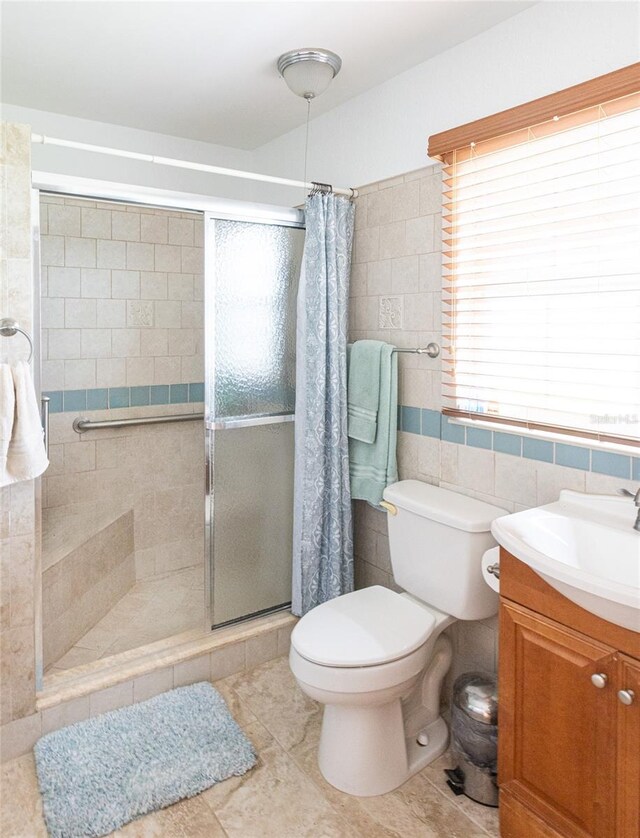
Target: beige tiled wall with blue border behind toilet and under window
x=396, y=287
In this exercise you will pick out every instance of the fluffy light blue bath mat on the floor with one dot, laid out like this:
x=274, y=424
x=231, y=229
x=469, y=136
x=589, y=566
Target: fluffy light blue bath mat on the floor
x=97, y=775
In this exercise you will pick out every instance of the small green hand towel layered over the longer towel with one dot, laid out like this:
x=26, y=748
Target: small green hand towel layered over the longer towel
x=363, y=390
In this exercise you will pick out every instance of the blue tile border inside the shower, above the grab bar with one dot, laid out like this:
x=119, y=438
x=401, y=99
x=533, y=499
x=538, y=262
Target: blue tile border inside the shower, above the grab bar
x=103, y=398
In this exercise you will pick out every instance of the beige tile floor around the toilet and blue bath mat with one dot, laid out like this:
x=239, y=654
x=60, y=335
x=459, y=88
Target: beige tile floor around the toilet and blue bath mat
x=284, y=796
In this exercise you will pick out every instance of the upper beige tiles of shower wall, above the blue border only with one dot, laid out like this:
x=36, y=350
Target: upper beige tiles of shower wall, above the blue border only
x=121, y=295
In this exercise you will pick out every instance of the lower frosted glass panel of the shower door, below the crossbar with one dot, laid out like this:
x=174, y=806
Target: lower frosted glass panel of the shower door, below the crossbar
x=252, y=519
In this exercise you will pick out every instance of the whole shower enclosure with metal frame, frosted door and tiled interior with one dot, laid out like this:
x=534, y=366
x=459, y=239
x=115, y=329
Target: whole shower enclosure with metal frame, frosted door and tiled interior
x=152, y=316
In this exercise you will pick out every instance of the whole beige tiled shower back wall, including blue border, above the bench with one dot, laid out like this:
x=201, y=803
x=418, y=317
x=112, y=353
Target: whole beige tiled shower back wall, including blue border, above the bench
x=122, y=336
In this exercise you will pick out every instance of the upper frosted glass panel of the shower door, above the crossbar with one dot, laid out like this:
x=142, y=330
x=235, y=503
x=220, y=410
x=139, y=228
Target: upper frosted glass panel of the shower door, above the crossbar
x=256, y=277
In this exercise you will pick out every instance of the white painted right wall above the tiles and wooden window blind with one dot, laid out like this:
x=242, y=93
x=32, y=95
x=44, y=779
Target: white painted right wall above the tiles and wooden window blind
x=384, y=132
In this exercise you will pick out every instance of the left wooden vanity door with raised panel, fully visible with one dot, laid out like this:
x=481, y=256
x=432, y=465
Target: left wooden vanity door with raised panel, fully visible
x=557, y=730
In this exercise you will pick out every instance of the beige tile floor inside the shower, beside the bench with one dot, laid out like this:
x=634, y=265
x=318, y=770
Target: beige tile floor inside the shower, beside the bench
x=151, y=610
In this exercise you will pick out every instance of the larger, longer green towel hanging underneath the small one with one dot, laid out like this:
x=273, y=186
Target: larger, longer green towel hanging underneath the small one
x=372, y=466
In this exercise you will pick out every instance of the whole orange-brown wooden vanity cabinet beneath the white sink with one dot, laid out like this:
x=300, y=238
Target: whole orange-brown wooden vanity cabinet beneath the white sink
x=569, y=749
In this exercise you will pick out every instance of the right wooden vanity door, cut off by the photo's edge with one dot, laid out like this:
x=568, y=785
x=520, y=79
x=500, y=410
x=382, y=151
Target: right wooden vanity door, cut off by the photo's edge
x=629, y=751
